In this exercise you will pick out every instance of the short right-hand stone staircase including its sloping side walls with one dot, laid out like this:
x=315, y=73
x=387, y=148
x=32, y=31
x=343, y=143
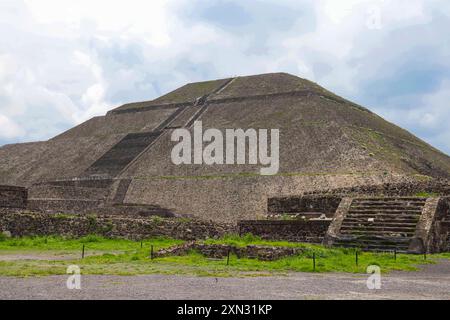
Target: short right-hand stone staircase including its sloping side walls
x=406, y=224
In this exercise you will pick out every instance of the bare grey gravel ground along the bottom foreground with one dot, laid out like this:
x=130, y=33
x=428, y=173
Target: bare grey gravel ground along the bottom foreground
x=433, y=282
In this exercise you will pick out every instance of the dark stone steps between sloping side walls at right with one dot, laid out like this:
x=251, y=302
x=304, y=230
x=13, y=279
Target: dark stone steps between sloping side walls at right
x=380, y=224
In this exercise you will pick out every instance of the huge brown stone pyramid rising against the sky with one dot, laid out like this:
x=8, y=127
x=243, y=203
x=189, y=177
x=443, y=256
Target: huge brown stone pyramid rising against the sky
x=325, y=142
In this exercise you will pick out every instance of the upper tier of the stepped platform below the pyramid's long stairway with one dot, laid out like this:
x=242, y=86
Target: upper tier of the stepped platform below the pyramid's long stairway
x=66, y=192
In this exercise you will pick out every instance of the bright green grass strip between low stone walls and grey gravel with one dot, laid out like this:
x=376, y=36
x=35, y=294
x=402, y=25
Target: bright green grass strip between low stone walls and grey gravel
x=125, y=257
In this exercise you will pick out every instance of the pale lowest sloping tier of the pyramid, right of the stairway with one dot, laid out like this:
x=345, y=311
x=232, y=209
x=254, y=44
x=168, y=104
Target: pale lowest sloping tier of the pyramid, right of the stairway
x=233, y=198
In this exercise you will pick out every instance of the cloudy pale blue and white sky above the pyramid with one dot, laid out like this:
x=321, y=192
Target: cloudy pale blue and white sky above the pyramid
x=65, y=61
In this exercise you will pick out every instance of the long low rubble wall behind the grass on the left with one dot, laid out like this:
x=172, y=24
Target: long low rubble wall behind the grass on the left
x=33, y=223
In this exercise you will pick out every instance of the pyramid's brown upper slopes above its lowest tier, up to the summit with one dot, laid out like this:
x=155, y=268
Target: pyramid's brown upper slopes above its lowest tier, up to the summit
x=321, y=133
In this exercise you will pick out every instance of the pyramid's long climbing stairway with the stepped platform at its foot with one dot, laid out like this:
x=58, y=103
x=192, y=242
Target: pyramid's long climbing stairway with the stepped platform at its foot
x=93, y=189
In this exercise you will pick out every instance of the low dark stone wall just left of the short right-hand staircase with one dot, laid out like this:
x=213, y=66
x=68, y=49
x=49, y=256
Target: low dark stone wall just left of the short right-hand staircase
x=311, y=231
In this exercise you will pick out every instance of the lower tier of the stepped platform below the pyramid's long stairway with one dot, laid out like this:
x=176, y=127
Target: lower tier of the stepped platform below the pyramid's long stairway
x=63, y=205
